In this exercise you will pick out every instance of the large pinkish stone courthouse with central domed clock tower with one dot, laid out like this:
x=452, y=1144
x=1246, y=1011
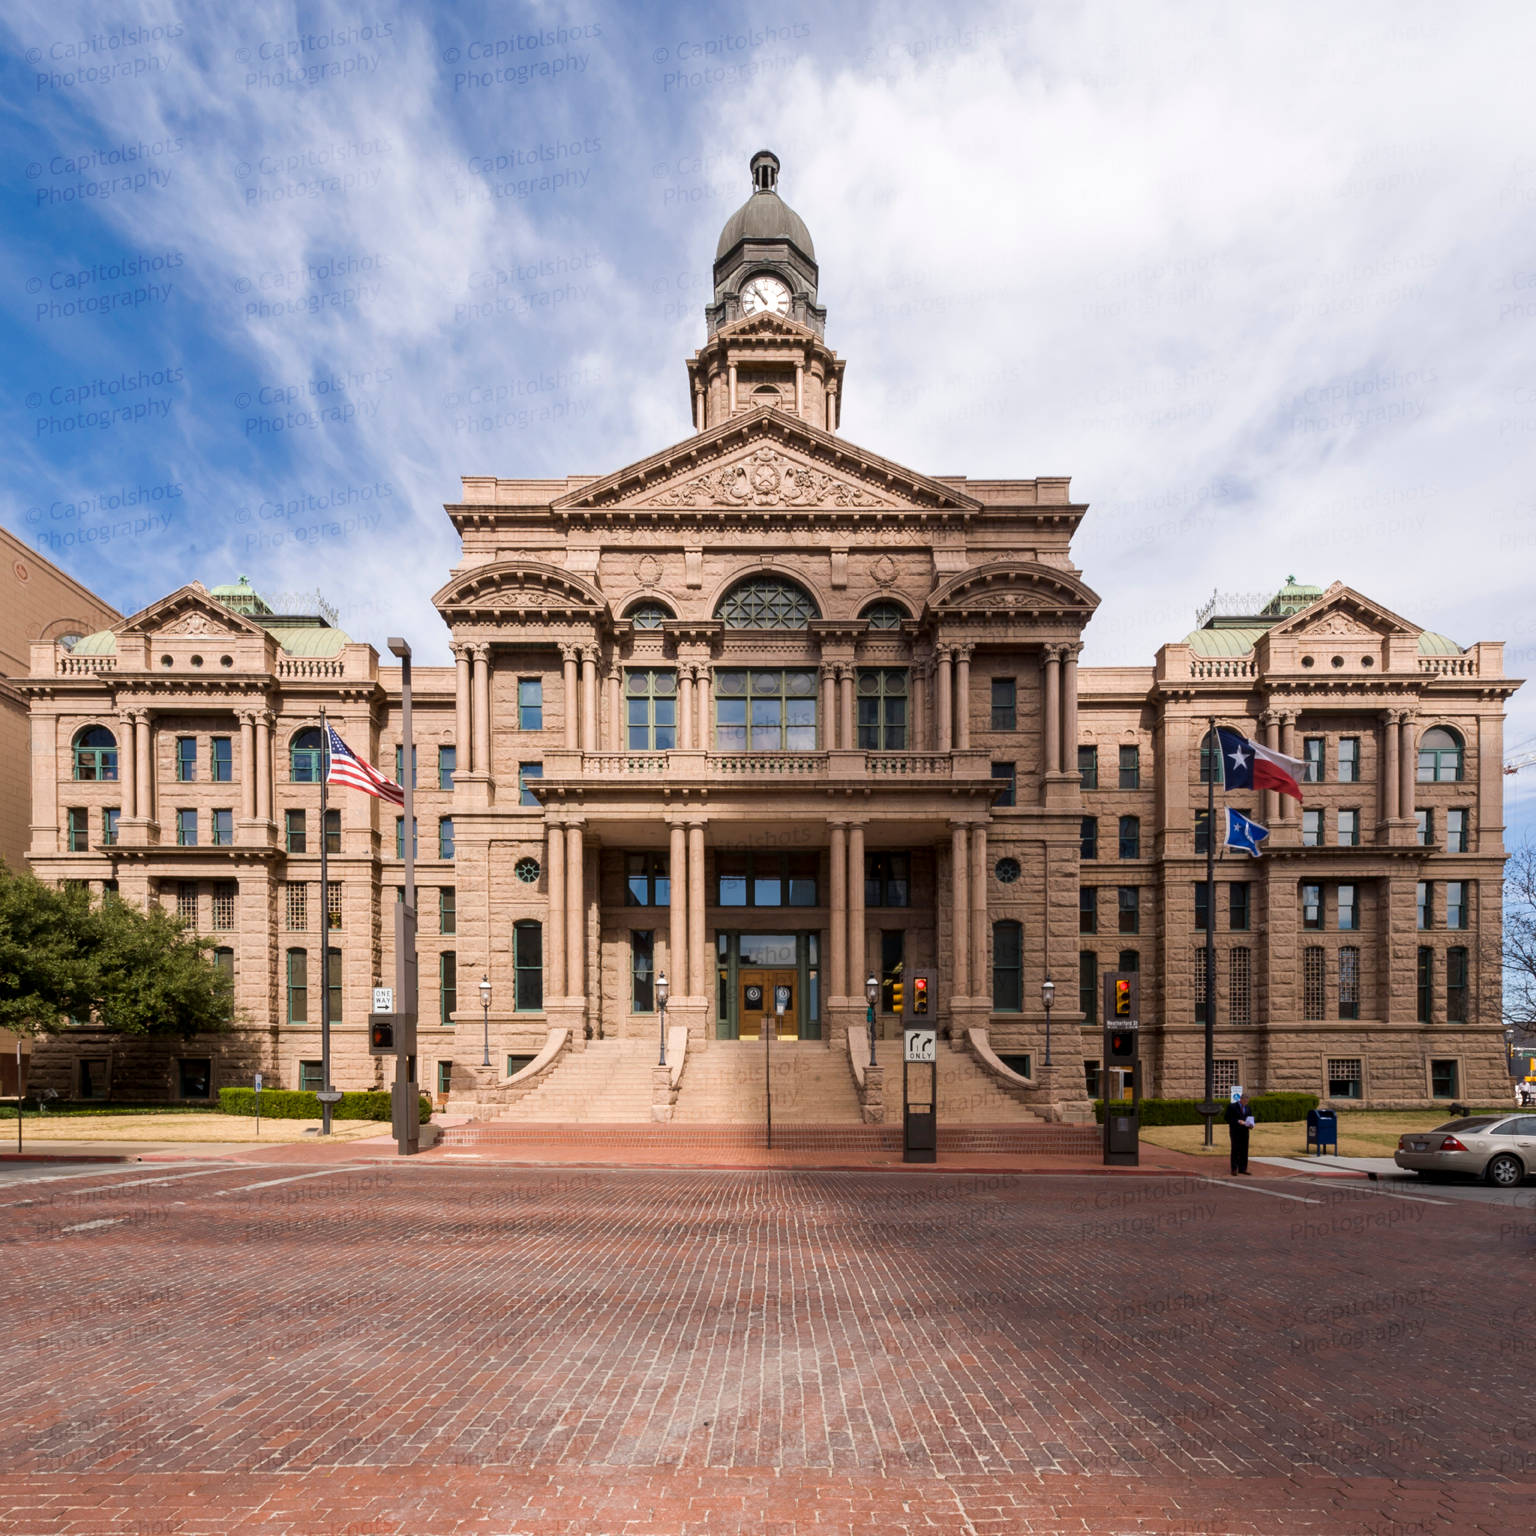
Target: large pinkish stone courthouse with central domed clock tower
x=775, y=715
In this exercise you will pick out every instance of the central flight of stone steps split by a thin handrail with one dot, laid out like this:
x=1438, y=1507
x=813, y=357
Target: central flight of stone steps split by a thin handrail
x=726, y=1085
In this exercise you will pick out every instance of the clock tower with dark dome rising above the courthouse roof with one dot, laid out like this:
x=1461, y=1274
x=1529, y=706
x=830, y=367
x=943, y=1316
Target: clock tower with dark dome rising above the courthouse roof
x=764, y=326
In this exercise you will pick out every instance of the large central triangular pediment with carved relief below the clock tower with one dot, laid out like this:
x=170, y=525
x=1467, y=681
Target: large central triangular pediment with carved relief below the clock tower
x=766, y=460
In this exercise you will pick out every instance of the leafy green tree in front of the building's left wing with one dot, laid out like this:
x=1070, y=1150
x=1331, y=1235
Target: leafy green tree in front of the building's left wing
x=139, y=973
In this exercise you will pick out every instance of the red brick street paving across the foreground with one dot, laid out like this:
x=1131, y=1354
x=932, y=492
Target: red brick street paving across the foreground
x=313, y=1349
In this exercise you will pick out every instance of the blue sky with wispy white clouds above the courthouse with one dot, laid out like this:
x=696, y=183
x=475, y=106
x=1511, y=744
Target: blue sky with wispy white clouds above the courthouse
x=1260, y=279
